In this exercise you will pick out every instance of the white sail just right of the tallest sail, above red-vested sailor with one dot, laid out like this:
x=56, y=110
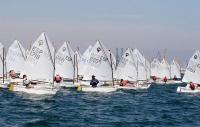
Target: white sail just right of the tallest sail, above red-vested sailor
x=64, y=61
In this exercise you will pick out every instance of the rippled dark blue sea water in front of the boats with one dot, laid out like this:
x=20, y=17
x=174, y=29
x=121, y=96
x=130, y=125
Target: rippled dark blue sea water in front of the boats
x=159, y=106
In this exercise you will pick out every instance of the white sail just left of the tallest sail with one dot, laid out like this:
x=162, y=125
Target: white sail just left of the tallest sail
x=15, y=58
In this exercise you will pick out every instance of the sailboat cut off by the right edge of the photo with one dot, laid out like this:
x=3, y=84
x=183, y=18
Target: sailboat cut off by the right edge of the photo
x=192, y=75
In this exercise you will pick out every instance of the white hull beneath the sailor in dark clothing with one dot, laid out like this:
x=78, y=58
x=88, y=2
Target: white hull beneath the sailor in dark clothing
x=99, y=89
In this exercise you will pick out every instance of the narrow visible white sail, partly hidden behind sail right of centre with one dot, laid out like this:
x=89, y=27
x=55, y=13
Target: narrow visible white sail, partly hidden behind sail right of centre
x=140, y=64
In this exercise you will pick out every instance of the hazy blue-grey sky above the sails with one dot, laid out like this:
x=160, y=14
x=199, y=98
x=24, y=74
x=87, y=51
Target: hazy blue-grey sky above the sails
x=149, y=25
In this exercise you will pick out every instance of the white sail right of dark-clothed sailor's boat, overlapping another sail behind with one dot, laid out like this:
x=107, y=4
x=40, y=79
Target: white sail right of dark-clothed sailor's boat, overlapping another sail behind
x=126, y=68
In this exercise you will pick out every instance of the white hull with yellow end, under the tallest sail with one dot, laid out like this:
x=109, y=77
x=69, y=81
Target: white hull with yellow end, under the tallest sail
x=39, y=90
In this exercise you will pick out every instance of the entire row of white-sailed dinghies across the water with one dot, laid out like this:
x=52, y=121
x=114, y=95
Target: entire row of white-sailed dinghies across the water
x=42, y=65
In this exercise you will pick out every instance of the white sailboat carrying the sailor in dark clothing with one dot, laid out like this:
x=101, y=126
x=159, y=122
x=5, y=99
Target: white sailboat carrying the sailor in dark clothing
x=99, y=65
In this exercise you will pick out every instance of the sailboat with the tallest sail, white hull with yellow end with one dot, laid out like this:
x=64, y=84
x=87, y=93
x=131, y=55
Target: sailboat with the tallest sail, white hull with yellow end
x=40, y=68
